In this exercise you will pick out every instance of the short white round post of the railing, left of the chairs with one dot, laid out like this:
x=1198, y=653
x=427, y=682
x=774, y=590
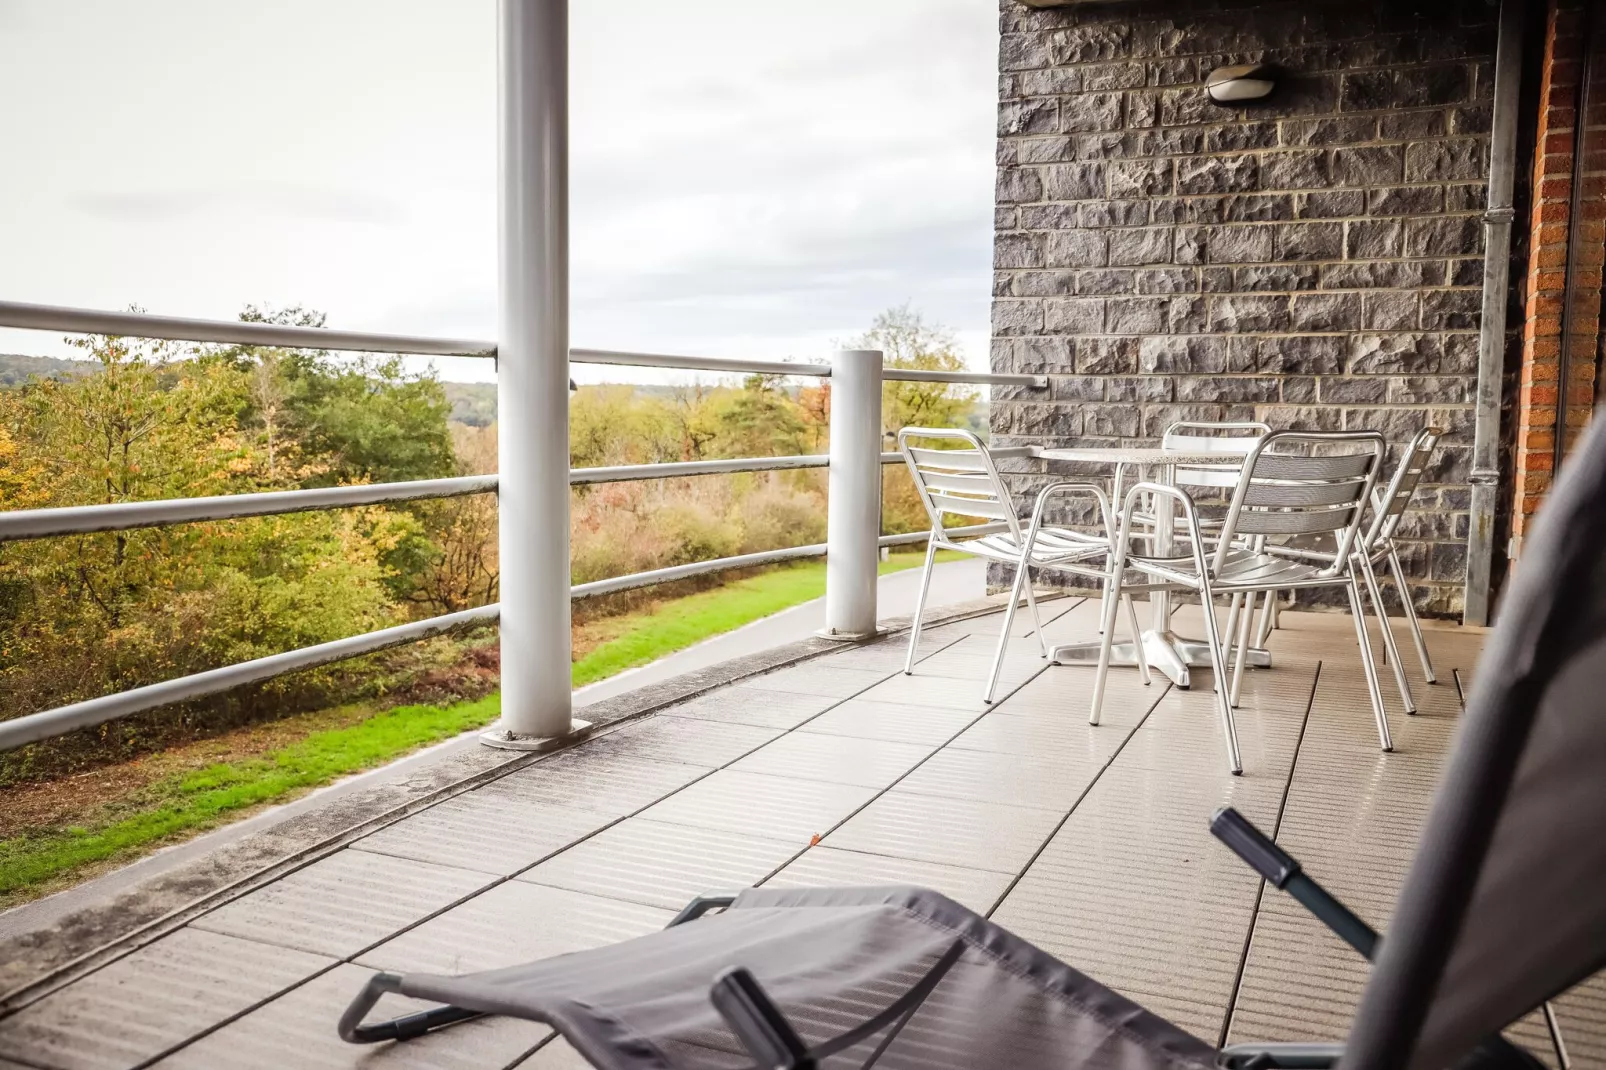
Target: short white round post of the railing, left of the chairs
x=854, y=521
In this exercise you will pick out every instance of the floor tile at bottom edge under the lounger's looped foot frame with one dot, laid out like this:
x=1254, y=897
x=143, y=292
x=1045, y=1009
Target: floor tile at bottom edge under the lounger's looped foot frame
x=298, y=1031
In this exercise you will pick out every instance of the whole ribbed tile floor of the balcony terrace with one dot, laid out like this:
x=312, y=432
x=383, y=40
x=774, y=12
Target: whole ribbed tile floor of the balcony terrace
x=833, y=767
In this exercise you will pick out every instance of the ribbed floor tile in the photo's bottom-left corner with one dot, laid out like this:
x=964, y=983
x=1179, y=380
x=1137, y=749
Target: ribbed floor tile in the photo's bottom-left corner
x=152, y=1000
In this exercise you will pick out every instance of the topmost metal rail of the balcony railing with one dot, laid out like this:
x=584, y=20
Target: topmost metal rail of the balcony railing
x=30, y=317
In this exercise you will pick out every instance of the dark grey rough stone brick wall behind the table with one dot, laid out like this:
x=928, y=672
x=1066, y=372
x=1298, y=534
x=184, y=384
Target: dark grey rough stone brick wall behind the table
x=1313, y=263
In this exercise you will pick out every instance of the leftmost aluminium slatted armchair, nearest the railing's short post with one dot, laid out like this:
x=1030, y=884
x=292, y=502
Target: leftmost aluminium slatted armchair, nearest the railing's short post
x=964, y=483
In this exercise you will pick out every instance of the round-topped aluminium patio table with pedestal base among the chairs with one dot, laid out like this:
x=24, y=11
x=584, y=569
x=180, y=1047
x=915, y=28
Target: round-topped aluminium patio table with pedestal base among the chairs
x=1167, y=651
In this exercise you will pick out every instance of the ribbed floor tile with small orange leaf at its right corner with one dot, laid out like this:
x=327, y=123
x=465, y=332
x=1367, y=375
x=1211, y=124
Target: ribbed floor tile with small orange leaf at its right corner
x=662, y=865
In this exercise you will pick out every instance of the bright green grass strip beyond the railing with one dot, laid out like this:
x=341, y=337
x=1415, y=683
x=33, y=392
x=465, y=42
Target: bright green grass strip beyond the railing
x=184, y=804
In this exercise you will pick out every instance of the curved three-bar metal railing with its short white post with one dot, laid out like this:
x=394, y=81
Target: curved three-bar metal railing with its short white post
x=854, y=464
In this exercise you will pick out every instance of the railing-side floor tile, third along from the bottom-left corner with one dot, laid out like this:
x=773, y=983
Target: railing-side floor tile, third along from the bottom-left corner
x=494, y=833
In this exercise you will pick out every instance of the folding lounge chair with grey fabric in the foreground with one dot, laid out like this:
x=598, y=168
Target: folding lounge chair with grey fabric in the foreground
x=1502, y=910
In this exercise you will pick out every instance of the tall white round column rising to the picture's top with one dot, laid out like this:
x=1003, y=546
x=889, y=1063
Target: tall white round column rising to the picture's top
x=532, y=374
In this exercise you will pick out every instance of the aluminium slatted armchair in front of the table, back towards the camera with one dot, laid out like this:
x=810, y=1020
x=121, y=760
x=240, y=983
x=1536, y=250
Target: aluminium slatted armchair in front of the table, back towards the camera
x=1290, y=484
